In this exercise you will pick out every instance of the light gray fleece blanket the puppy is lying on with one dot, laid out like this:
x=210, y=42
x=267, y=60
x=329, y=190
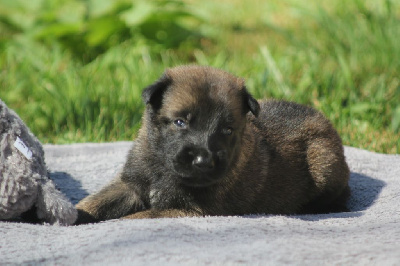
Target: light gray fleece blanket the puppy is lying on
x=368, y=235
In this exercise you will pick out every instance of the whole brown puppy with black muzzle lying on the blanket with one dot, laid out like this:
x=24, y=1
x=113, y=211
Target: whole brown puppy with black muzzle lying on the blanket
x=207, y=147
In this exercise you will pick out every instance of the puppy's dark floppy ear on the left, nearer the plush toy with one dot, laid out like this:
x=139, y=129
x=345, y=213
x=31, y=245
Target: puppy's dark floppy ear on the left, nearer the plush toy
x=153, y=94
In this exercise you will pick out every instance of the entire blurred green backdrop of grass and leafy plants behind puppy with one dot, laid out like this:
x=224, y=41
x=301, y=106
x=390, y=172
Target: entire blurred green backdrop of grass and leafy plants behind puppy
x=74, y=69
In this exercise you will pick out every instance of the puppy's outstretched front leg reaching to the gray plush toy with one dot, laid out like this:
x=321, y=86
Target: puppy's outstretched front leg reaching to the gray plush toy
x=114, y=201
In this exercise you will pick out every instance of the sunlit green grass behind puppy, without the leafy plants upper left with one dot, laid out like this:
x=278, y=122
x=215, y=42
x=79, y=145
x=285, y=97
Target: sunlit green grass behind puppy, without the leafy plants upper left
x=341, y=57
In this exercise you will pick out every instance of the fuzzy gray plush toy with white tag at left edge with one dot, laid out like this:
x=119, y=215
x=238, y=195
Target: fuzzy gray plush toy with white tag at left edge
x=24, y=183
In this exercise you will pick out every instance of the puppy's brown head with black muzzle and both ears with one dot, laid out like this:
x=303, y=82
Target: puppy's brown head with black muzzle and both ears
x=195, y=118
